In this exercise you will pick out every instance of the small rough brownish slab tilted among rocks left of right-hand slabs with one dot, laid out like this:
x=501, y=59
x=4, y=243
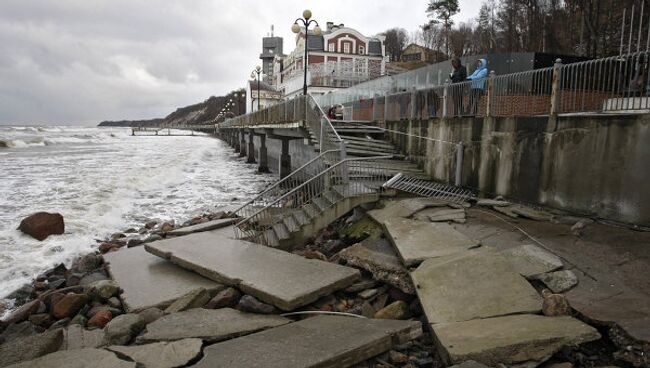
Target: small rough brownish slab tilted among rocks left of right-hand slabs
x=379, y=258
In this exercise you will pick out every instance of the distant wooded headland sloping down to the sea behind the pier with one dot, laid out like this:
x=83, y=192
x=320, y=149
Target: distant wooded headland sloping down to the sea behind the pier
x=200, y=113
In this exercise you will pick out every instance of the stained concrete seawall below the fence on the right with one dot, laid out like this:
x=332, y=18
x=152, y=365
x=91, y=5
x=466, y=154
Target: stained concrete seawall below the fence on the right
x=592, y=164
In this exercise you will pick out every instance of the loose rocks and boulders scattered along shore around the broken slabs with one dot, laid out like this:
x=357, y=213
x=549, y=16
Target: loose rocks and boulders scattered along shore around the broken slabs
x=80, y=307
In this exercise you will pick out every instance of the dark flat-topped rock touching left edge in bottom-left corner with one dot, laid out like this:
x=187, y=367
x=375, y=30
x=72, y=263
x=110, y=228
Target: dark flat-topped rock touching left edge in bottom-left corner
x=30, y=347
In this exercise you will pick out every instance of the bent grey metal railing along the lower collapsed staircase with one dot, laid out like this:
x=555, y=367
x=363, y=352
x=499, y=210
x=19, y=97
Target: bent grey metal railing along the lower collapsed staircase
x=347, y=178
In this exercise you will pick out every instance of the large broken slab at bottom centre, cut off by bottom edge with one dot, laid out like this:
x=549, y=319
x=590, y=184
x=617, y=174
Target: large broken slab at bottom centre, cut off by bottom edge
x=323, y=341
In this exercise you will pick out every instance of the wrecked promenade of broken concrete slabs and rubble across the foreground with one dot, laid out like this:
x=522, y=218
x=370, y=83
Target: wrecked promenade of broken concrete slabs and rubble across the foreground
x=403, y=282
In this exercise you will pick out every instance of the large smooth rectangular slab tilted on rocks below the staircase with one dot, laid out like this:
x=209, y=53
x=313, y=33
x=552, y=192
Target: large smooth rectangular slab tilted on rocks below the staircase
x=285, y=280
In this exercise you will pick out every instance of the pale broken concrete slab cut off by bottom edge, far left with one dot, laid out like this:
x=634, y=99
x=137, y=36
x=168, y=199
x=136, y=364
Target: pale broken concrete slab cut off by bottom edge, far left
x=78, y=358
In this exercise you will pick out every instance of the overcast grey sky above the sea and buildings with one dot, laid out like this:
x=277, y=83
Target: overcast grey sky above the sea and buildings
x=81, y=61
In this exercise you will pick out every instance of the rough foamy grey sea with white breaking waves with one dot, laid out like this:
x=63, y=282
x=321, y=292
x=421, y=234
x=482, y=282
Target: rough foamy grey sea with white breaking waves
x=103, y=180
